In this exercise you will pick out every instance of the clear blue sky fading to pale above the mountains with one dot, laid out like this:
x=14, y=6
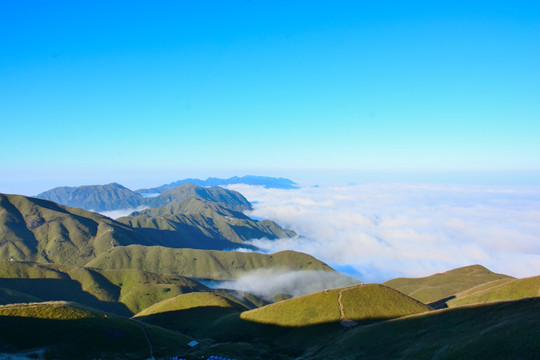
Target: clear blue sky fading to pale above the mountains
x=149, y=92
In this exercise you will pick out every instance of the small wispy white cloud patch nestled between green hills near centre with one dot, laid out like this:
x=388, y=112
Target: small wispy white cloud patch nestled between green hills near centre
x=268, y=282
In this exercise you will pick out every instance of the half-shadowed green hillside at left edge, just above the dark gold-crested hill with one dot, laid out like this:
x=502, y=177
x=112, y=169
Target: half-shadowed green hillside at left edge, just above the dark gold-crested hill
x=124, y=292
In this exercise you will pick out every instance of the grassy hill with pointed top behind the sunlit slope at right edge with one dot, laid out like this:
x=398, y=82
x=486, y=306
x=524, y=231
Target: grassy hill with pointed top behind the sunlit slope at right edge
x=439, y=286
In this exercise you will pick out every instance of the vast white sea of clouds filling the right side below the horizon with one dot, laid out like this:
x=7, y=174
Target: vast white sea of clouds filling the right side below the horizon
x=376, y=232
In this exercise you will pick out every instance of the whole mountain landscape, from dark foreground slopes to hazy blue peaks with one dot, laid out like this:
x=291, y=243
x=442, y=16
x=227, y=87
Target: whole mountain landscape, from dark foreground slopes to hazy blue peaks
x=77, y=284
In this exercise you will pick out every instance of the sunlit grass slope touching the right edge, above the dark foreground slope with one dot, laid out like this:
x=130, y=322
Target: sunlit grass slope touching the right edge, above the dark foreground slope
x=499, y=290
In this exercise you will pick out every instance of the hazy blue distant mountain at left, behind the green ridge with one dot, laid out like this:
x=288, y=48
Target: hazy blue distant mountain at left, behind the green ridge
x=94, y=197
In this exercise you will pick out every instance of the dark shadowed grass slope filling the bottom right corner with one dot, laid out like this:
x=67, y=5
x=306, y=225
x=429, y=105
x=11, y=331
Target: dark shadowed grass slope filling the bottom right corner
x=507, y=330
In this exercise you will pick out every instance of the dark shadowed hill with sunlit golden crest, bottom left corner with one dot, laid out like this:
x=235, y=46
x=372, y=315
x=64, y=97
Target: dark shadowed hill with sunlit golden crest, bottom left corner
x=68, y=331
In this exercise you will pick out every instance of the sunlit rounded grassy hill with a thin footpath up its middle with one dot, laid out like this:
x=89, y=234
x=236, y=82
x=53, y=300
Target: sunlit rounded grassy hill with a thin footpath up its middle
x=357, y=303
